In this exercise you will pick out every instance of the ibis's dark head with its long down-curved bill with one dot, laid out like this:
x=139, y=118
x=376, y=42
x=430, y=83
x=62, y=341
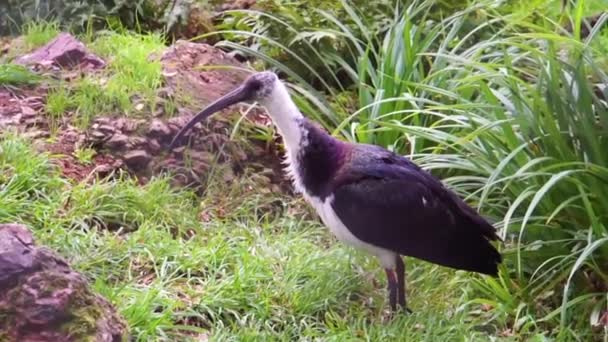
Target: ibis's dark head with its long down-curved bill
x=259, y=87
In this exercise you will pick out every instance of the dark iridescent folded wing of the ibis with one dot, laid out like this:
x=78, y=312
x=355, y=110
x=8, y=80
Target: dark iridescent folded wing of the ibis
x=387, y=201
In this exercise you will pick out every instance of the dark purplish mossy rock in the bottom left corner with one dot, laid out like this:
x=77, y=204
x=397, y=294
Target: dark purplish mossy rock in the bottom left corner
x=43, y=299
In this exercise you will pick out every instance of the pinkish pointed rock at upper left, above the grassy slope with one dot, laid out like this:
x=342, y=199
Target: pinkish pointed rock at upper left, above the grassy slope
x=64, y=51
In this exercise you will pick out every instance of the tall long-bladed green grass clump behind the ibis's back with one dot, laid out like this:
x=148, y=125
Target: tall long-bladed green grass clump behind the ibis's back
x=514, y=122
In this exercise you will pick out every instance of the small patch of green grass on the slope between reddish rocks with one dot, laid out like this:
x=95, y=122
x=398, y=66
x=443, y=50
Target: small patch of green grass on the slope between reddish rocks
x=127, y=86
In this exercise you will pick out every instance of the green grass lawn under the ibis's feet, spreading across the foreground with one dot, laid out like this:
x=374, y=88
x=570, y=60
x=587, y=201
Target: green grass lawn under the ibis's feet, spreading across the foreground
x=232, y=264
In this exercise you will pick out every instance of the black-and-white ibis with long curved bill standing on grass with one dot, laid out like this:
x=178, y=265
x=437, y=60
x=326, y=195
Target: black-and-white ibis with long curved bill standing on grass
x=369, y=197
